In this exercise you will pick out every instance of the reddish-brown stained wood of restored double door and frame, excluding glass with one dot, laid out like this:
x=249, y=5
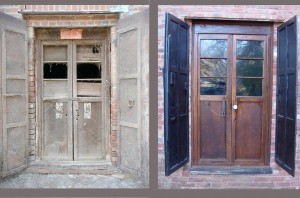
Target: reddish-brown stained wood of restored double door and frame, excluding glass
x=241, y=134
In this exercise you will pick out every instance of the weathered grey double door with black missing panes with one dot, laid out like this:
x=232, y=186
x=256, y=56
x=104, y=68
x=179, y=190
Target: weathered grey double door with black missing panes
x=72, y=100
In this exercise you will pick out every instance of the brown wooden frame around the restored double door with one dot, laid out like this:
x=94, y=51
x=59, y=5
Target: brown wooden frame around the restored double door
x=229, y=27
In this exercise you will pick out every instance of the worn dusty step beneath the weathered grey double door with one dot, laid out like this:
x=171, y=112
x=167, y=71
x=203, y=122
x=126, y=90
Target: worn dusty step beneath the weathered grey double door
x=73, y=167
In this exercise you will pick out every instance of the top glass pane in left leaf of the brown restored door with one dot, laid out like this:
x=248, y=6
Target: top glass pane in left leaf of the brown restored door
x=213, y=48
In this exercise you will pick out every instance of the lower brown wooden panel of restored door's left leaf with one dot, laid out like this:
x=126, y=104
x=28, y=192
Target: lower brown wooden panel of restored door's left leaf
x=213, y=131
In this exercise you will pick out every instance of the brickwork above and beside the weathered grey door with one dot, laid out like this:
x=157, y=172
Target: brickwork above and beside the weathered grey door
x=86, y=21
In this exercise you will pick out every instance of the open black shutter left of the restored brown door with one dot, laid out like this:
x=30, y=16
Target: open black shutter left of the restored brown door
x=176, y=92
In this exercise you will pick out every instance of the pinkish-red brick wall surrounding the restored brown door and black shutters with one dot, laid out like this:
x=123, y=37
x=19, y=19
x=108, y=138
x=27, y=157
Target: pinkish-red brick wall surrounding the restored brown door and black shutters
x=182, y=178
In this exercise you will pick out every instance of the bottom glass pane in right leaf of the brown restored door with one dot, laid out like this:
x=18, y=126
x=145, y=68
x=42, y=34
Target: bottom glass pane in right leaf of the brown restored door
x=249, y=87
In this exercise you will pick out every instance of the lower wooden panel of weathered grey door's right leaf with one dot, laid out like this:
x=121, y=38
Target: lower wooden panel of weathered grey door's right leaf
x=89, y=133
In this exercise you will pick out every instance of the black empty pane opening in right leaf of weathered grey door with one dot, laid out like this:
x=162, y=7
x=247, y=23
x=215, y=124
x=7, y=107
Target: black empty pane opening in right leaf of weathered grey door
x=88, y=70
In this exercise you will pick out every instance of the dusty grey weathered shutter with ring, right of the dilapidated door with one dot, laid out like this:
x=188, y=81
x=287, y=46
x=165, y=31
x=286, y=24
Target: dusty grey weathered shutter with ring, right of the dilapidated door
x=132, y=68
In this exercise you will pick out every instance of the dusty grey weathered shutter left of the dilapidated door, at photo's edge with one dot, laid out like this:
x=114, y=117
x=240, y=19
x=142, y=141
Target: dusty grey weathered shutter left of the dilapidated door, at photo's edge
x=14, y=95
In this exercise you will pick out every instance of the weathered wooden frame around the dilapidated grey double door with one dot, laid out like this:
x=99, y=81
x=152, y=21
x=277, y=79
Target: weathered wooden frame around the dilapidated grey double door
x=106, y=79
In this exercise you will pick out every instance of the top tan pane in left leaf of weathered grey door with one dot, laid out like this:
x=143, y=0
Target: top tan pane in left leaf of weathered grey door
x=55, y=53
